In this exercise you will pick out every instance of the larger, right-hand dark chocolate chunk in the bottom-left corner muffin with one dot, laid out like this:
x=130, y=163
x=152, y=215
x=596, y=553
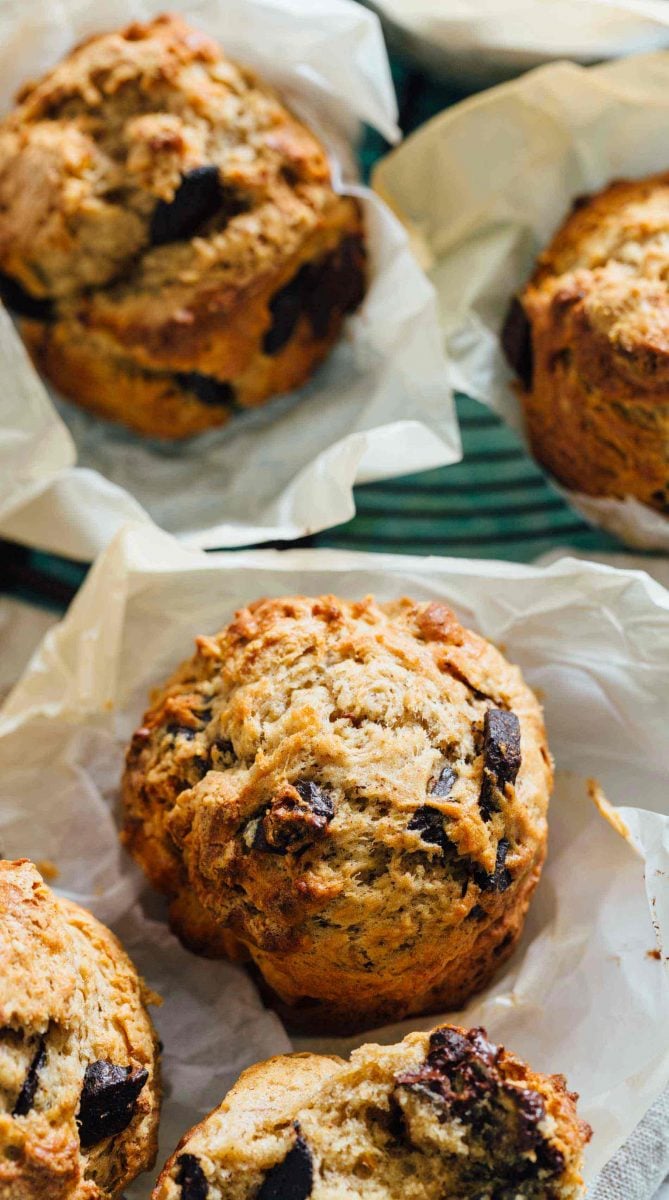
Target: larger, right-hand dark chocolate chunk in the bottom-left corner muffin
x=109, y=1100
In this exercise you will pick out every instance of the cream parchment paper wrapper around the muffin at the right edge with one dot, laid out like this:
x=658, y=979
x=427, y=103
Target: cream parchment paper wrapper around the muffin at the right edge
x=485, y=185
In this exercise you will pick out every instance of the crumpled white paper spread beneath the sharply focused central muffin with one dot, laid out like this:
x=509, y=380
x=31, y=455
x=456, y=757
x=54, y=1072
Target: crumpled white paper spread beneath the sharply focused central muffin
x=583, y=993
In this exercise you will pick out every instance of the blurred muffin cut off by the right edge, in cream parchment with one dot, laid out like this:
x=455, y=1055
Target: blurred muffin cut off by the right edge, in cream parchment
x=589, y=341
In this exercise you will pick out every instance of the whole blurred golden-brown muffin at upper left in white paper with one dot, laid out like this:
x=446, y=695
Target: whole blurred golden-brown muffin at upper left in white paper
x=170, y=232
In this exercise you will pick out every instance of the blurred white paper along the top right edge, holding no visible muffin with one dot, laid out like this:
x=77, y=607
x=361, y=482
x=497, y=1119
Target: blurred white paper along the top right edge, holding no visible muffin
x=480, y=43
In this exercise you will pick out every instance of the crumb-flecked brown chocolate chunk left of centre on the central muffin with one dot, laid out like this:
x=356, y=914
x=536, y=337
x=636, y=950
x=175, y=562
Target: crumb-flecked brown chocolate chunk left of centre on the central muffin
x=294, y=820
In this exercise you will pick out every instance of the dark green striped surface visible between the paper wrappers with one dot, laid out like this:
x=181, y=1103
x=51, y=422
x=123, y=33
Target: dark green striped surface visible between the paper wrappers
x=497, y=503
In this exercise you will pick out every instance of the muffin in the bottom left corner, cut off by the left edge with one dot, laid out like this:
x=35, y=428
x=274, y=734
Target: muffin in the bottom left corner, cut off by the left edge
x=80, y=1093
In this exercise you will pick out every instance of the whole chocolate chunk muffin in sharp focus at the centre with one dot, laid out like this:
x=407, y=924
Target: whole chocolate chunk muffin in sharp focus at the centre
x=353, y=795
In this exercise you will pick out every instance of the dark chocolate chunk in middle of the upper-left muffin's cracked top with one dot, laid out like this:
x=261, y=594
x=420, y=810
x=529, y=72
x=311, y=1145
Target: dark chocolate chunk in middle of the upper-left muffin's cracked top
x=200, y=197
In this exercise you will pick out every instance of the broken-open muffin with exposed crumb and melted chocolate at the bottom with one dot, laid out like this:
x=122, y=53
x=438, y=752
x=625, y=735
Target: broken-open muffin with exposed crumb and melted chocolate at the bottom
x=445, y=1114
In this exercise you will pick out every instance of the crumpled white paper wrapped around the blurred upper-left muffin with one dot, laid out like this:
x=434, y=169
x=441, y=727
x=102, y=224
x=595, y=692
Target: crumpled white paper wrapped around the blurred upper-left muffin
x=381, y=406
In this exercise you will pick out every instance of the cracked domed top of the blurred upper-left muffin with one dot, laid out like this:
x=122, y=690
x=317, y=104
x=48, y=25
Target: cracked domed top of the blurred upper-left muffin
x=142, y=140
